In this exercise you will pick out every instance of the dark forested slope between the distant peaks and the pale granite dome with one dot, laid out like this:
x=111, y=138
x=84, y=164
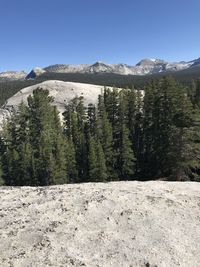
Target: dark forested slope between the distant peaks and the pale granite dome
x=9, y=88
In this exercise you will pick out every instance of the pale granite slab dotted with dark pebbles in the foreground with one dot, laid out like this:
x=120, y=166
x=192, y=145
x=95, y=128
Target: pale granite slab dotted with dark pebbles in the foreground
x=115, y=224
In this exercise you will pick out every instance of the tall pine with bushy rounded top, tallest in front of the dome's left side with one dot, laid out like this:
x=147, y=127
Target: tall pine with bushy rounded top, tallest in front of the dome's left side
x=41, y=136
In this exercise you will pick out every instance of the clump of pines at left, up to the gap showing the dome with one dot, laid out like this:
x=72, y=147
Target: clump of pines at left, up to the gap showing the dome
x=34, y=151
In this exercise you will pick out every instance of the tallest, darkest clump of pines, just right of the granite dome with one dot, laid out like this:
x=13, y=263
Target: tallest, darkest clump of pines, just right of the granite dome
x=167, y=119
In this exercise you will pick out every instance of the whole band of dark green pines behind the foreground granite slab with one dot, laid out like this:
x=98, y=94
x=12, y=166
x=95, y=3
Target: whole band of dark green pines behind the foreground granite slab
x=130, y=134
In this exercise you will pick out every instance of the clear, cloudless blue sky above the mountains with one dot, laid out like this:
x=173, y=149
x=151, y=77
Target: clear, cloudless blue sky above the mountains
x=44, y=32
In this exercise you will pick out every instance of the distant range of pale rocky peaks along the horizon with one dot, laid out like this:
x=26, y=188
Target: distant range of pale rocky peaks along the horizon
x=143, y=67
